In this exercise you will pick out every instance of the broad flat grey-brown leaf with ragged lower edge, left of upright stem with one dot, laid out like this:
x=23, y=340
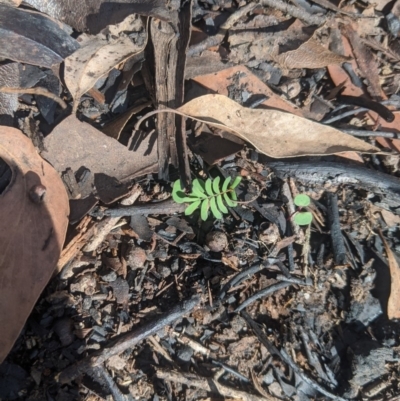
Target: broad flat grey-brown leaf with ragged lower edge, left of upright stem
x=75, y=144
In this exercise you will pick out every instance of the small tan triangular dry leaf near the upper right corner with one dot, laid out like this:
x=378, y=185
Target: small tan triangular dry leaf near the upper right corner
x=310, y=54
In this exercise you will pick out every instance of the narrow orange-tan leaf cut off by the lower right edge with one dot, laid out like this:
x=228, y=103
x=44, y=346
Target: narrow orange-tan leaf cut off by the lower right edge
x=393, y=307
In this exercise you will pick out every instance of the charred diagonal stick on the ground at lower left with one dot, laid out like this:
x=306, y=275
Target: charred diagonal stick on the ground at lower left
x=127, y=340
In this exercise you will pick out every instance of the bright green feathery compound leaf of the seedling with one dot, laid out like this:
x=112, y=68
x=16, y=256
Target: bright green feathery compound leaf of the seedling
x=208, y=195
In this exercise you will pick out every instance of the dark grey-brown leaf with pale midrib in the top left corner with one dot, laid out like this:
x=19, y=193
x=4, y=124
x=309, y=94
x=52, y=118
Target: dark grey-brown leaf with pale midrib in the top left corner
x=33, y=38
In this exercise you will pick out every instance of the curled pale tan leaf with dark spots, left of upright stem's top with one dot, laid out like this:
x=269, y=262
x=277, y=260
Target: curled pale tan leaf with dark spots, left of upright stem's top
x=98, y=56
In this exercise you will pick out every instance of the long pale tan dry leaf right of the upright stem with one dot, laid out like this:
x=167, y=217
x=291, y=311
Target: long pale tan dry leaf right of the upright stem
x=272, y=132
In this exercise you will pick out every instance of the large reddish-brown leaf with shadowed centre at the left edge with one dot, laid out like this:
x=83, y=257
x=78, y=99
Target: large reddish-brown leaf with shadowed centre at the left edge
x=34, y=218
